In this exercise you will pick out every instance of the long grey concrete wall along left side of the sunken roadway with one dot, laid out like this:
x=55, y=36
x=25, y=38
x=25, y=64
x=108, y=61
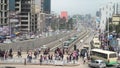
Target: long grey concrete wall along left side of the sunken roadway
x=31, y=44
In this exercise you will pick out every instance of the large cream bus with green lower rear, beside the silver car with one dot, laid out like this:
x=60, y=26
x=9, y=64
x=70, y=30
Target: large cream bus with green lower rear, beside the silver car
x=109, y=57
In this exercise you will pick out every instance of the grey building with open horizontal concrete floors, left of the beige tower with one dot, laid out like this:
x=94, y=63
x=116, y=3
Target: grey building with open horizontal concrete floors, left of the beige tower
x=26, y=9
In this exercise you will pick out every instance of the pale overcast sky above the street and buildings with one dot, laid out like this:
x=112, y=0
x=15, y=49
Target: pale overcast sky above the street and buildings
x=77, y=6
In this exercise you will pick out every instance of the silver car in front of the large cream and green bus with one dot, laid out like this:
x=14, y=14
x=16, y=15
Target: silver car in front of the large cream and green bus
x=97, y=64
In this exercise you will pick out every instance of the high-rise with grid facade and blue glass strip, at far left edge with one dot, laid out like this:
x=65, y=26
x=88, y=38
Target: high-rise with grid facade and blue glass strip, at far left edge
x=5, y=7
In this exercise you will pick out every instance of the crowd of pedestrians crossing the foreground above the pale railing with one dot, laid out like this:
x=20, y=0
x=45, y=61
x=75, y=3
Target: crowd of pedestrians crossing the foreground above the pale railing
x=59, y=54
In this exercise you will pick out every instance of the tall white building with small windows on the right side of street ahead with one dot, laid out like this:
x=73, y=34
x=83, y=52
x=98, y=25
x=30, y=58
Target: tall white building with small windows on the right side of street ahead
x=106, y=12
